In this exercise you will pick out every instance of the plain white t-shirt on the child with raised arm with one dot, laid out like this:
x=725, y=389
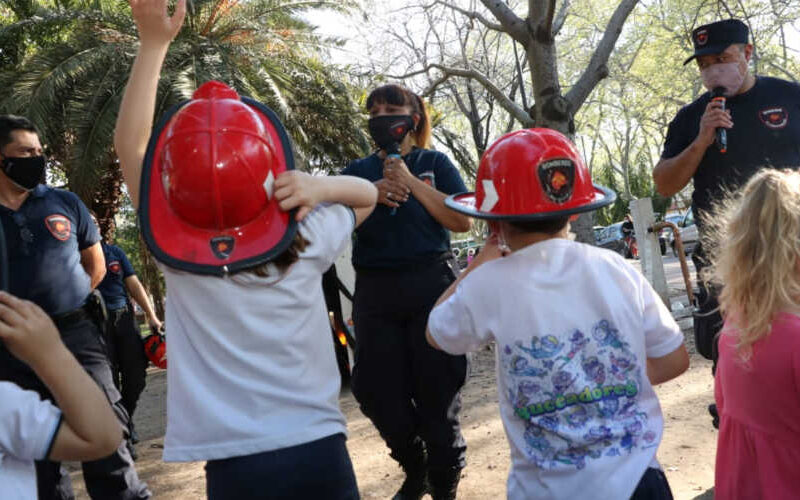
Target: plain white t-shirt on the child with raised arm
x=251, y=360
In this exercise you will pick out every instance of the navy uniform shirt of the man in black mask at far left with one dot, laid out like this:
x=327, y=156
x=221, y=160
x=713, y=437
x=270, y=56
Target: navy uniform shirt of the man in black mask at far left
x=45, y=238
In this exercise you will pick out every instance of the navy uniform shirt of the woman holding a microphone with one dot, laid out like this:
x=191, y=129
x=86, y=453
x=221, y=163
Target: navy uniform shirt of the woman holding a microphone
x=411, y=235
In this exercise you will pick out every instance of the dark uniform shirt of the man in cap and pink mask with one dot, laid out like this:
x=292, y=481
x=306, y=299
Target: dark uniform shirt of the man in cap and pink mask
x=765, y=133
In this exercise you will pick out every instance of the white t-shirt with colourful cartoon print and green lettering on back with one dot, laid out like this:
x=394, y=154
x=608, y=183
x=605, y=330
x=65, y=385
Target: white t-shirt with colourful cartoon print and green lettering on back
x=574, y=325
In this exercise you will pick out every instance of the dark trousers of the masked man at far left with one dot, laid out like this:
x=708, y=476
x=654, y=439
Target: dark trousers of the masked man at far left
x=113, y=477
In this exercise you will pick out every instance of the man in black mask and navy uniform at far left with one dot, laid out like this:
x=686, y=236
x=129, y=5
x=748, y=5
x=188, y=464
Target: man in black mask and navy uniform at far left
x=55, y=260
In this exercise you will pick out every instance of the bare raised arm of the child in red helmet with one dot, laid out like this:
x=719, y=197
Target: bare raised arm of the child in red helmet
x=135, y=119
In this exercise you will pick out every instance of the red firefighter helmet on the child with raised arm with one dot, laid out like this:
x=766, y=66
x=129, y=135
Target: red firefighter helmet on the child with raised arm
x=207, y=203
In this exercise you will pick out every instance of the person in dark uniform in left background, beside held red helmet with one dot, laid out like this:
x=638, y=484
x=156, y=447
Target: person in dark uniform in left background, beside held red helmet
x=125, y=345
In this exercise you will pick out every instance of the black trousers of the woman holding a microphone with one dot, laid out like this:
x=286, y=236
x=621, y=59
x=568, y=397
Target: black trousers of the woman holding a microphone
x=408, y=389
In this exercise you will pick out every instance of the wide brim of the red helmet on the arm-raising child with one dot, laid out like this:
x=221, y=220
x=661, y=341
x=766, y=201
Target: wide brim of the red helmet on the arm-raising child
x=184, y=247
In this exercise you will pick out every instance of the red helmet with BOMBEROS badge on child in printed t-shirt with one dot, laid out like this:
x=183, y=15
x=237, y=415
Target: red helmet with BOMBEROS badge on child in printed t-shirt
x=531, y=174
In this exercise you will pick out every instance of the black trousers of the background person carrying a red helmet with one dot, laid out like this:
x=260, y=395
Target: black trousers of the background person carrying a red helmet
x=128, y=360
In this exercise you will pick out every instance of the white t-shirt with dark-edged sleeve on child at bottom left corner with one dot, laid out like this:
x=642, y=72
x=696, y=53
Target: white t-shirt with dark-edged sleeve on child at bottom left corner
x=28, y=426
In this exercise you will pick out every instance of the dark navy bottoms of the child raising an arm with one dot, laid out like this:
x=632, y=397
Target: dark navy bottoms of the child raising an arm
x=319, y=469
